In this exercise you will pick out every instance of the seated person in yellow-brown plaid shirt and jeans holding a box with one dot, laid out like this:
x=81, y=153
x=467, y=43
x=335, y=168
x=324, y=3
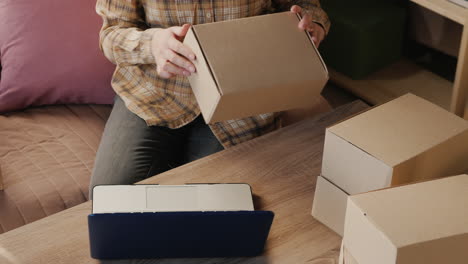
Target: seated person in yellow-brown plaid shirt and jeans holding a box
x=155, y=124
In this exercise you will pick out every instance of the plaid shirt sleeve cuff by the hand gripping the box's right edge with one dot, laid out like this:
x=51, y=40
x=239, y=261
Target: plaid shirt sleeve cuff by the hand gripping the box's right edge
x=311, y=7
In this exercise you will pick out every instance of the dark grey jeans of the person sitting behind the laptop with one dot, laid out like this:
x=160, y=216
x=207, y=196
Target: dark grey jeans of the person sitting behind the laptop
x=131, y=151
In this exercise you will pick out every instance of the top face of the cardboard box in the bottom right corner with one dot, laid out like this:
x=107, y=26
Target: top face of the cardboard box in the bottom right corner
x=420, y=212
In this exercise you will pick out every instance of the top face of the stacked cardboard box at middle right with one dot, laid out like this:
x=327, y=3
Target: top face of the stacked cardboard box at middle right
x=410, y=125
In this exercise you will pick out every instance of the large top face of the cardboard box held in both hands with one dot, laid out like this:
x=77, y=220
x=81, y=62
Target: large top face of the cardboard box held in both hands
x=258, y=59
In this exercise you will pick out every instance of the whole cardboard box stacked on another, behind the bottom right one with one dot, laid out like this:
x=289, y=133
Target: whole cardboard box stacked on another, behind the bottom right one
x=405, y=140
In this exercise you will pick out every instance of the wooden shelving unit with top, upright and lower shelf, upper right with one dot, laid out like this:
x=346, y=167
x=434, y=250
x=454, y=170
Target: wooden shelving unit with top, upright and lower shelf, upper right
x=405, y=76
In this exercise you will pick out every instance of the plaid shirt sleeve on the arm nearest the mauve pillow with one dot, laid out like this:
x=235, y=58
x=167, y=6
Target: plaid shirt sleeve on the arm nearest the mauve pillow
x=125, y=37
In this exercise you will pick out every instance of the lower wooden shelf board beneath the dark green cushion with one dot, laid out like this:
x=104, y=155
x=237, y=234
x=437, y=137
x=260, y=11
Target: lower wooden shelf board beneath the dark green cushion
x=396, y=80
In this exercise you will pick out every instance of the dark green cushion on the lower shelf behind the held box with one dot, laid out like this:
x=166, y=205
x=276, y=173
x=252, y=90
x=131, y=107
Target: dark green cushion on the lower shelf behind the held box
x=365, y=35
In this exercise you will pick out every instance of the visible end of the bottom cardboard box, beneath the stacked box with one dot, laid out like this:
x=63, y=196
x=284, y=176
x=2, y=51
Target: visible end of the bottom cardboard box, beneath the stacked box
x=329, y=205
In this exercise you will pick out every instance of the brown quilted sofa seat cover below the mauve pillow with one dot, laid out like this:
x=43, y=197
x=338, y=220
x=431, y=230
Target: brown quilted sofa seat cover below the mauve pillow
x=46, y=158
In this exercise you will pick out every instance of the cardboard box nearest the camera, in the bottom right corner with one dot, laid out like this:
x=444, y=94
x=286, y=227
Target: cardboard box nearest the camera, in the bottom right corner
x=423, y=223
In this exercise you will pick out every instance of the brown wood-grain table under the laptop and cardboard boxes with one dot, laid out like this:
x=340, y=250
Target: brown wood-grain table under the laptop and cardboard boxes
x=281, y=167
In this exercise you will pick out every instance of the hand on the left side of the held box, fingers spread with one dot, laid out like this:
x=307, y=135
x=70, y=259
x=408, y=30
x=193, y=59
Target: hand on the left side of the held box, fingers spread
x=171, y=55
